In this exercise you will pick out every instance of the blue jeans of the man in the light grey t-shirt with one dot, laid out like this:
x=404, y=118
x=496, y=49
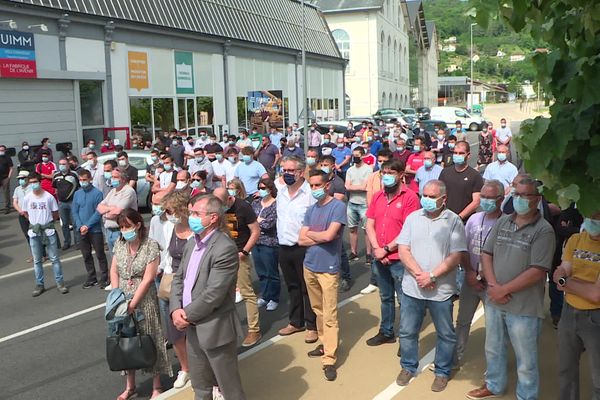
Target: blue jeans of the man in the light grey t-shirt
x=412, y=312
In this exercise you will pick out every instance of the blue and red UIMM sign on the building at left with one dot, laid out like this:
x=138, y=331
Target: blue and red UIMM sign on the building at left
x=17, y=55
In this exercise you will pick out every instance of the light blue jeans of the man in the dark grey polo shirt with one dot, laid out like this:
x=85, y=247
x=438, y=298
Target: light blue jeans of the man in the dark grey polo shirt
x=523, y=333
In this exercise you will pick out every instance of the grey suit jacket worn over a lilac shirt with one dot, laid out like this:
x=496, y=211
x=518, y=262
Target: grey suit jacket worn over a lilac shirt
x=212, y=310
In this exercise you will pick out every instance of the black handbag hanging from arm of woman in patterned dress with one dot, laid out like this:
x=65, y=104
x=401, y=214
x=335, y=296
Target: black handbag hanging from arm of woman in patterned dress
x=126, y=353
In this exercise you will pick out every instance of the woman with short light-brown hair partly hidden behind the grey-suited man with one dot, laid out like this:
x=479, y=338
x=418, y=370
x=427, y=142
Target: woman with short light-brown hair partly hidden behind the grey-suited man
x=176, y=233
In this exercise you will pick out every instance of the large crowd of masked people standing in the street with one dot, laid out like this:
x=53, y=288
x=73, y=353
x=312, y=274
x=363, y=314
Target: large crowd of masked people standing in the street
x=437, y=232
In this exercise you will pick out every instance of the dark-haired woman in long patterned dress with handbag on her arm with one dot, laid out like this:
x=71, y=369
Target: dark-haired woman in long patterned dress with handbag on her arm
x=134, y=266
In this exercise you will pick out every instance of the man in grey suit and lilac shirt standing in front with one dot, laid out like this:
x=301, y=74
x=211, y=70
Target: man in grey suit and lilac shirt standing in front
x=202, y=302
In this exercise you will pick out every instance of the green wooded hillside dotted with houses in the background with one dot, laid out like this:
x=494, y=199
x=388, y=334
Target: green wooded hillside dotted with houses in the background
x=492, y=66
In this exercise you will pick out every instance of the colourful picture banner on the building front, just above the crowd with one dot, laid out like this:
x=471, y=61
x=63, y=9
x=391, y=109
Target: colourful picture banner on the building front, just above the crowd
x=265, y=110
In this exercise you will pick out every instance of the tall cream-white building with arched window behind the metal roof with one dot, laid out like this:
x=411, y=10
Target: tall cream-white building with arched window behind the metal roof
x=373, y=35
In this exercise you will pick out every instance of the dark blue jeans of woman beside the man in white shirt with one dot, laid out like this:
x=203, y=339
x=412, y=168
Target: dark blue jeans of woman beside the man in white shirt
x=266, y=262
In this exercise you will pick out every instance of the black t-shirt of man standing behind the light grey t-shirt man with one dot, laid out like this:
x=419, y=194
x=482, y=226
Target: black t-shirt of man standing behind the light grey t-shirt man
x=460, y=187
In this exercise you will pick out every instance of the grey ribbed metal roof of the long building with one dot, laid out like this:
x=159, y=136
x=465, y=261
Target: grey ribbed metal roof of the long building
x=269, y=22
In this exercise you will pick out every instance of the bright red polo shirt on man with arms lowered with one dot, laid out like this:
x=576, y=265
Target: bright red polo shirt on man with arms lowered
x=389, y=216
